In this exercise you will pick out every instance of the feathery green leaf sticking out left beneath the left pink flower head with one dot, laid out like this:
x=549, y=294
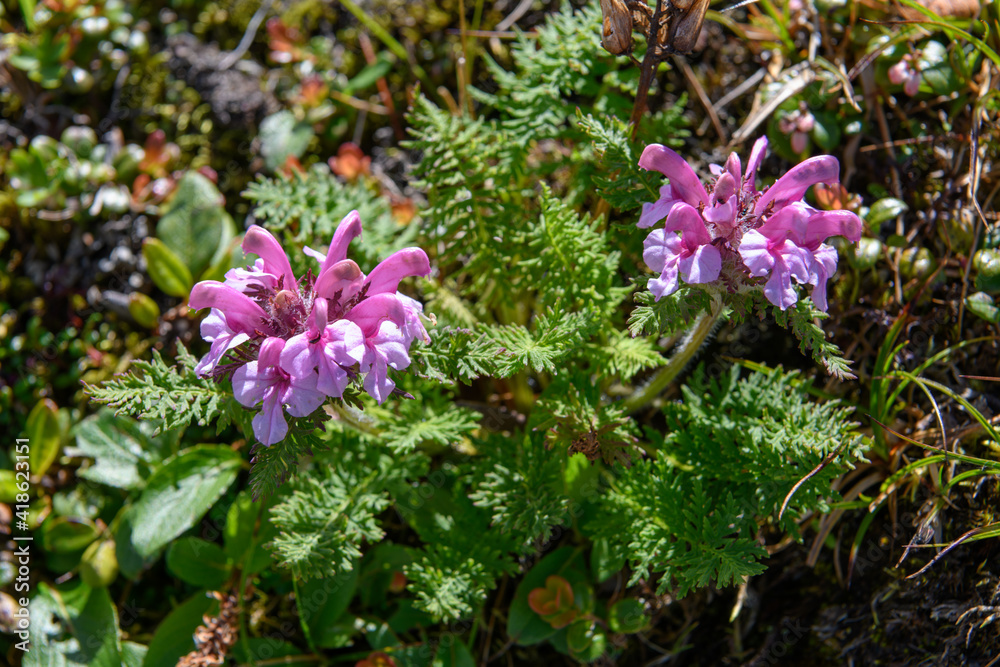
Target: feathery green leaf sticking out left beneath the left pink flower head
x=173, y=396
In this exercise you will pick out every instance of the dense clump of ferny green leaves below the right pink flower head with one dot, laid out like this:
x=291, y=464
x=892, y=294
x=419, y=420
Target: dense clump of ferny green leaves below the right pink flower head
x=733, y=451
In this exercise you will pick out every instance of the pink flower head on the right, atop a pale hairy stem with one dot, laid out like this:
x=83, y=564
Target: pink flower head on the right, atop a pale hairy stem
x=731, y=231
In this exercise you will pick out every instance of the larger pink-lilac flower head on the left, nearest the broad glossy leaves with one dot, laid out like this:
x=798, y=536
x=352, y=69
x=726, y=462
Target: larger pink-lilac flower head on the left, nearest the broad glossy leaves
x=300, y=340
